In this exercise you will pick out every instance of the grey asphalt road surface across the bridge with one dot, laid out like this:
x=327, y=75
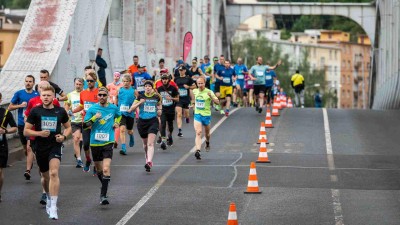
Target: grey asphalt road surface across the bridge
x=357, y=184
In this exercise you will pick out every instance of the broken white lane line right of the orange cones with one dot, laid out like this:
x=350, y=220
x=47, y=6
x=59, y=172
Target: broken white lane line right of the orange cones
x=337, y=206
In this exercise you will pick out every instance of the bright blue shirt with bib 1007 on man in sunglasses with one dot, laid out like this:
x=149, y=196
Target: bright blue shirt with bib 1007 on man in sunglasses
x=102, y=131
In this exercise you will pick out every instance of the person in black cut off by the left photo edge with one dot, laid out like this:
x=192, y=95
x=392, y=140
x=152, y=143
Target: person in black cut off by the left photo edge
x=6, y=119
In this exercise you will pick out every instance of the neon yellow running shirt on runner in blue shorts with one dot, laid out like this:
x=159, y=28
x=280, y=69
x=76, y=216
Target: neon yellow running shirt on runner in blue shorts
x=203, y=101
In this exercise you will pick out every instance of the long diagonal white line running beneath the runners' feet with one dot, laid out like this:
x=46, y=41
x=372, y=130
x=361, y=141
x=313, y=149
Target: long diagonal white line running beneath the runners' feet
x=164, y=177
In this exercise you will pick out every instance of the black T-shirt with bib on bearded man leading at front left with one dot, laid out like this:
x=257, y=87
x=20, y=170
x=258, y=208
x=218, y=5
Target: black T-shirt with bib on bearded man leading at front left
x=48, y=119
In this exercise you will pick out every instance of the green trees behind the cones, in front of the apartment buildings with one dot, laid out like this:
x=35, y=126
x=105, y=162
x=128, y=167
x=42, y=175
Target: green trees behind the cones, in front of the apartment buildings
x=249, y=49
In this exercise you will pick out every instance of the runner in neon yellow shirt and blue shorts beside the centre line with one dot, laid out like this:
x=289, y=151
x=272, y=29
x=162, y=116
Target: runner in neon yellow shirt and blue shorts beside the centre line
x=202, y=116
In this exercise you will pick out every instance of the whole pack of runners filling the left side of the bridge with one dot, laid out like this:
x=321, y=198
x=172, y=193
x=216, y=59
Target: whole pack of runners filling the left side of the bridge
x=99, y=116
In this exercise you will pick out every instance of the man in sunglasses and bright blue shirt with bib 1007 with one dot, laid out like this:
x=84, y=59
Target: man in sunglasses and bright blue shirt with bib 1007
x=102, y=118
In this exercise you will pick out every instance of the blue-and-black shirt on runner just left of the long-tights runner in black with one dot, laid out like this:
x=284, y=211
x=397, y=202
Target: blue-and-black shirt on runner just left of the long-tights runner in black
x=148, y=109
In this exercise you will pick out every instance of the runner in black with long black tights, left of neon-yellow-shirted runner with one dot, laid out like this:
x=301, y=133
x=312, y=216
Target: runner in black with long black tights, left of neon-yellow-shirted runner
x=170, y=96
